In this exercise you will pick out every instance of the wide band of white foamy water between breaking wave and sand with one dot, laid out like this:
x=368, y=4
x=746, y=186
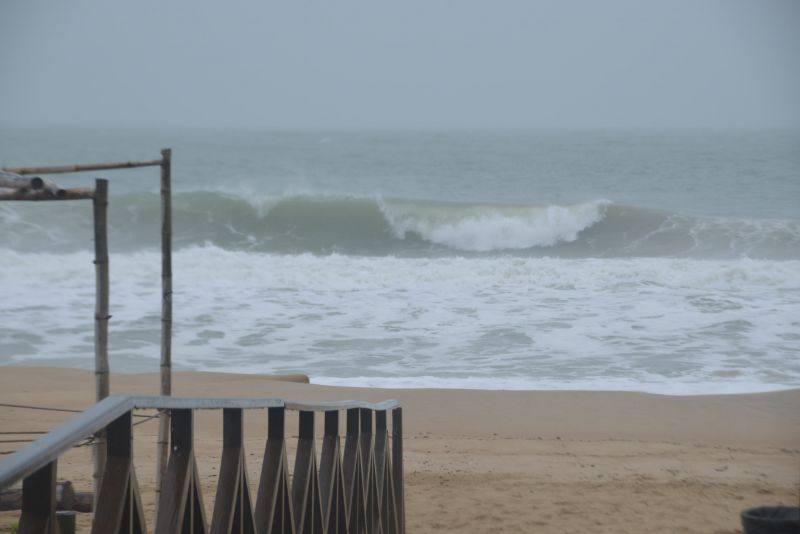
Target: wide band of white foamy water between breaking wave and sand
x=655, y=324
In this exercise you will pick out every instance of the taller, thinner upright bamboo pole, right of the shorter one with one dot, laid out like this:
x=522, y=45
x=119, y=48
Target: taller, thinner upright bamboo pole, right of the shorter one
x=166, y=314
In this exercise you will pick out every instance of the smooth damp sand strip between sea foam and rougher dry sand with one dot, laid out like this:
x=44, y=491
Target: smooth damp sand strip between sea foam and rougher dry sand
x=757, y=418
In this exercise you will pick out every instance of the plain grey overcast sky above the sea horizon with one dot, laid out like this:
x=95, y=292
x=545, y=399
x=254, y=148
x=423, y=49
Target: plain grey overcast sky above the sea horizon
x=403, y=64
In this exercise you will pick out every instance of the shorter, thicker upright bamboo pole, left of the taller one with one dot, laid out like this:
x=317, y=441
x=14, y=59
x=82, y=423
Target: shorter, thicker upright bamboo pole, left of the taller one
x=100, y=204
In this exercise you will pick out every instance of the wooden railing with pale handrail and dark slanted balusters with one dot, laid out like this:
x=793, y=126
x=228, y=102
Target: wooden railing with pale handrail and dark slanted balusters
x=357, y=489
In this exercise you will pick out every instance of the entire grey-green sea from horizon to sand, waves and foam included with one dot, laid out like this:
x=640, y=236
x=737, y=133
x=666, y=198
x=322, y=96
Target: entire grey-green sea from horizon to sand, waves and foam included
x=665, y=262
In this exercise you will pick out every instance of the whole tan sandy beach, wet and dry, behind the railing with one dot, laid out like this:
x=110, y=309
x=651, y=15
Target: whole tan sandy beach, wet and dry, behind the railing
x=480, y=461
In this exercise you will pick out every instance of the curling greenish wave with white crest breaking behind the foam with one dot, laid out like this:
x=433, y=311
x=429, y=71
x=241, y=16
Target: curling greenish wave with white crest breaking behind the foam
x=376, y=226
